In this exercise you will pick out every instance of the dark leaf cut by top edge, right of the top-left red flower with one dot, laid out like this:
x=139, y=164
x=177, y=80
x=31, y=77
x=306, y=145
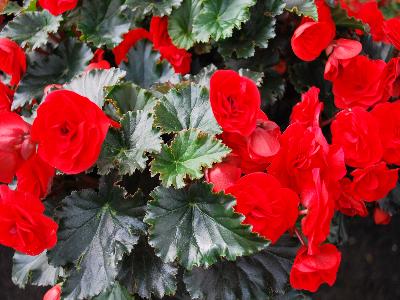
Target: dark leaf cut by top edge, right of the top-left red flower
x=103, y=22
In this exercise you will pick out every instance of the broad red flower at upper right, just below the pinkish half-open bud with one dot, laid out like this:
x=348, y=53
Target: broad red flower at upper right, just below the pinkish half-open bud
x=358, y=83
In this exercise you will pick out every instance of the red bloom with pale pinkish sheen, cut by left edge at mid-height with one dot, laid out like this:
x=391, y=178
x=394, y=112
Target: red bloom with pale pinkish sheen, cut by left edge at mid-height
x=15, y=144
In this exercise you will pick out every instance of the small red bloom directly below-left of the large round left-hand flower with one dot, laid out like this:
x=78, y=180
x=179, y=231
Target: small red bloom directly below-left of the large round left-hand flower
x=35, y=177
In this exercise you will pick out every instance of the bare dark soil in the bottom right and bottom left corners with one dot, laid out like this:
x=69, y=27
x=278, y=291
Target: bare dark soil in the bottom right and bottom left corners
x=370, y=268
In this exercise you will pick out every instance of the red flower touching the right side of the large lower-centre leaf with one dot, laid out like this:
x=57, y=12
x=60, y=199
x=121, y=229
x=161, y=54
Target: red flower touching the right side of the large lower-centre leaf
x=267, y=206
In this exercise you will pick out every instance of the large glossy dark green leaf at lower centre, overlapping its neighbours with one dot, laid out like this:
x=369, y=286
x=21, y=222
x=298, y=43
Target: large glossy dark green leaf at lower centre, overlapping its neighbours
x=196, y=226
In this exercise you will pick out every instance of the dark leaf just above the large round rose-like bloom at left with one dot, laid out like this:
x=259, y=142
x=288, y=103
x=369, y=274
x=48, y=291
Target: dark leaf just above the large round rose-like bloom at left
x=68, y=60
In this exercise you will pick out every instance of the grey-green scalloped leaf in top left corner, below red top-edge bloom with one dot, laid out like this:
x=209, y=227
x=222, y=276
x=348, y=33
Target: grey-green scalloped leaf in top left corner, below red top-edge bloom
x=31, y=28
